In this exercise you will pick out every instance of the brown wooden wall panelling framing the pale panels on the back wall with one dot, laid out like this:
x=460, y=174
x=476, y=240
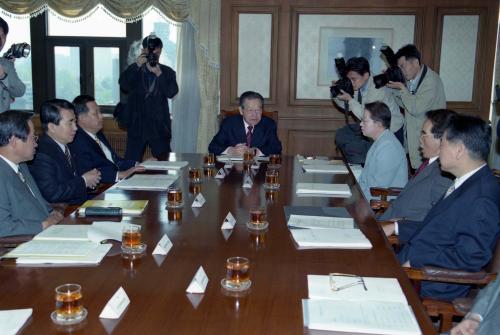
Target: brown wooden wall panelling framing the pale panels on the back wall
x=308, y=126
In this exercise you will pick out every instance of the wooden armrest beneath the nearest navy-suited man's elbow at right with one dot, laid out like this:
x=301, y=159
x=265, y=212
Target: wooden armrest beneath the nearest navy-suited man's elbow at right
x=431, y=273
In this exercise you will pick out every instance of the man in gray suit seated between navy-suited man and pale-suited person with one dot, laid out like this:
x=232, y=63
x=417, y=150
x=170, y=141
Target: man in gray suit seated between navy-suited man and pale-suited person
x=429, y=183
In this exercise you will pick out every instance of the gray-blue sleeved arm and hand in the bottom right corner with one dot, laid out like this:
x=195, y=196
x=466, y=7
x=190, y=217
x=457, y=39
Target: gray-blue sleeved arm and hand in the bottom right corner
x=484, y=316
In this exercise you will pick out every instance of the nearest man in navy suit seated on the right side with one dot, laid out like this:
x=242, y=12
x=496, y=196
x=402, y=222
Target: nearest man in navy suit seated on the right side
x=461, y=230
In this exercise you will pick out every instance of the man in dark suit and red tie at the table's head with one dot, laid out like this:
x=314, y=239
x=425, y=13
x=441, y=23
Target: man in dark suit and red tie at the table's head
x=248, y=130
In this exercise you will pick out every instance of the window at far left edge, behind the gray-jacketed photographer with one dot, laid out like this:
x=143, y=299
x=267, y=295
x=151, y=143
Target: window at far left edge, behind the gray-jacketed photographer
x=19, y=32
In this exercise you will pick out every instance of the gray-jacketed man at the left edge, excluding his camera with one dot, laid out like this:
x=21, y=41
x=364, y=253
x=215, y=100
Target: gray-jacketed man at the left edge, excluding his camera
x=10, y=84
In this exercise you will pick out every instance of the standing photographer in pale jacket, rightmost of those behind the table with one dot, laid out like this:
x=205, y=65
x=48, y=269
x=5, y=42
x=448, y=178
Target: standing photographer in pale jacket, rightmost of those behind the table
x=422, y=92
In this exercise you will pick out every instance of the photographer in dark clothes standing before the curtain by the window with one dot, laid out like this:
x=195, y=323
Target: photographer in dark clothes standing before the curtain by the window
x=149, y=85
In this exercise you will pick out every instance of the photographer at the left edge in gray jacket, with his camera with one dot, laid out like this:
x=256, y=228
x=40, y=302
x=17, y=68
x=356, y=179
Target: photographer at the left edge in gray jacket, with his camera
x=11, y=86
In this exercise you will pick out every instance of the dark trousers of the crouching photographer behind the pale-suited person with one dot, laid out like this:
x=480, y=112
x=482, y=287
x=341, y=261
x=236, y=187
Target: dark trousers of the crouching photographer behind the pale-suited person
x=355, y=145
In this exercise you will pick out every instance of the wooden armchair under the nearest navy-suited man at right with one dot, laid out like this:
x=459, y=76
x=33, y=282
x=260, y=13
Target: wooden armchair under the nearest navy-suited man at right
x=444, y=310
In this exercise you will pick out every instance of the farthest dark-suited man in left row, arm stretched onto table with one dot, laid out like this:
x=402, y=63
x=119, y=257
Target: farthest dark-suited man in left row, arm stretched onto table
x=91, y=149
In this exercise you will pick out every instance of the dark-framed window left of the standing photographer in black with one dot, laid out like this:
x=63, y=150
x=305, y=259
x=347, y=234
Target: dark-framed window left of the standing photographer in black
x=86, y=56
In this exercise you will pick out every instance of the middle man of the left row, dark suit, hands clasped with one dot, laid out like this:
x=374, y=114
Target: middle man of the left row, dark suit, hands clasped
x=53, y=167
